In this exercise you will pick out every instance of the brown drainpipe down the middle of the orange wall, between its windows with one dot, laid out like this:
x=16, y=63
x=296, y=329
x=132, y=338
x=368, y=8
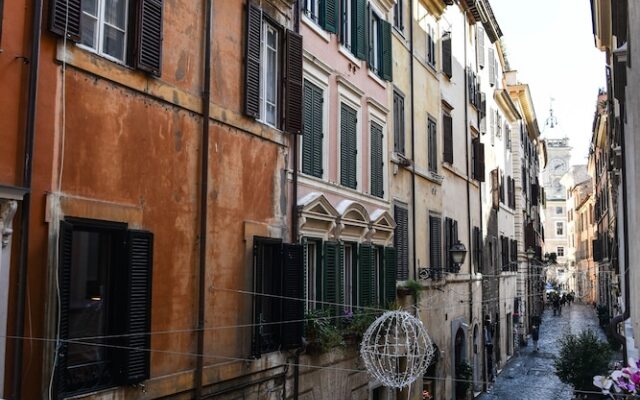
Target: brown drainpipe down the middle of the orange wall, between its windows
x=204, y=191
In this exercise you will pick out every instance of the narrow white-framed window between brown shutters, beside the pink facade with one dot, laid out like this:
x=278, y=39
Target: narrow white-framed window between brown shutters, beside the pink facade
x=264, y=73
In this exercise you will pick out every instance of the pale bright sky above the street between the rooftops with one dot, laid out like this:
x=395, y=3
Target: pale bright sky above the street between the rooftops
x=550, y=43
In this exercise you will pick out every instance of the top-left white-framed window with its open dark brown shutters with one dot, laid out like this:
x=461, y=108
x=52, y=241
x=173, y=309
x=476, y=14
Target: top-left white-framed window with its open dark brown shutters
x=105, y=27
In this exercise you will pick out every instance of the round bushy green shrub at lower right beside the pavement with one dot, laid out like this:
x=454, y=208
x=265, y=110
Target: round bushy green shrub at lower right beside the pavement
x=581, y=357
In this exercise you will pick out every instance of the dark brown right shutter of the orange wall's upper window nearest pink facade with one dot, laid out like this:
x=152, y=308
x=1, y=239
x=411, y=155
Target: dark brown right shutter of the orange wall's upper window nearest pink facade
x=293, y=120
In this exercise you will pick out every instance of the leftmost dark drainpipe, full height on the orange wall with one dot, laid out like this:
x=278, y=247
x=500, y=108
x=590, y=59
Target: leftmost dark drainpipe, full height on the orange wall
x=30, y=133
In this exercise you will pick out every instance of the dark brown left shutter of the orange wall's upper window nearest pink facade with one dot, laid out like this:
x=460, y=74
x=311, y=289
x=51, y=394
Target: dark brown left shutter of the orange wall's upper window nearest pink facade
x=252, y=62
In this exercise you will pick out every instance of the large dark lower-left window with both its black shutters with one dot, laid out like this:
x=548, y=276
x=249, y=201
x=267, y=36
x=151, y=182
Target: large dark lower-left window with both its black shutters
x=105, y=290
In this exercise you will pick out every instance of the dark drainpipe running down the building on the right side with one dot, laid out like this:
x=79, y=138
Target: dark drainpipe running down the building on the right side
x=613, y=325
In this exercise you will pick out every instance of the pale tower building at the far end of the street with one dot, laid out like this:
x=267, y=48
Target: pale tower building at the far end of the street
x=558, y=163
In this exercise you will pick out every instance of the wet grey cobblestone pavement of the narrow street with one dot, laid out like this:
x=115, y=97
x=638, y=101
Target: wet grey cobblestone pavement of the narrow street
x=531, y=375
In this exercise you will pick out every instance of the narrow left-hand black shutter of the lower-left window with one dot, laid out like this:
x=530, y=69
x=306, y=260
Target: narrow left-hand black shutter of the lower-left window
x=64, y=283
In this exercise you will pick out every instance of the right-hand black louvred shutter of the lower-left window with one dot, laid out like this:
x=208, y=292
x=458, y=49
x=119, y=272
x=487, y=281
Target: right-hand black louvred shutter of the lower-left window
x=138, y=318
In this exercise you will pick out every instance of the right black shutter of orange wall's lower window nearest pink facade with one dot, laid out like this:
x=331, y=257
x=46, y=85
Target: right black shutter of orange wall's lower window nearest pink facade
x=292, y=288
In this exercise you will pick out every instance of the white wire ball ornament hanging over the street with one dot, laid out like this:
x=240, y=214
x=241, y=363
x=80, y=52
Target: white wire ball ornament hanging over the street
x=396, y=349
